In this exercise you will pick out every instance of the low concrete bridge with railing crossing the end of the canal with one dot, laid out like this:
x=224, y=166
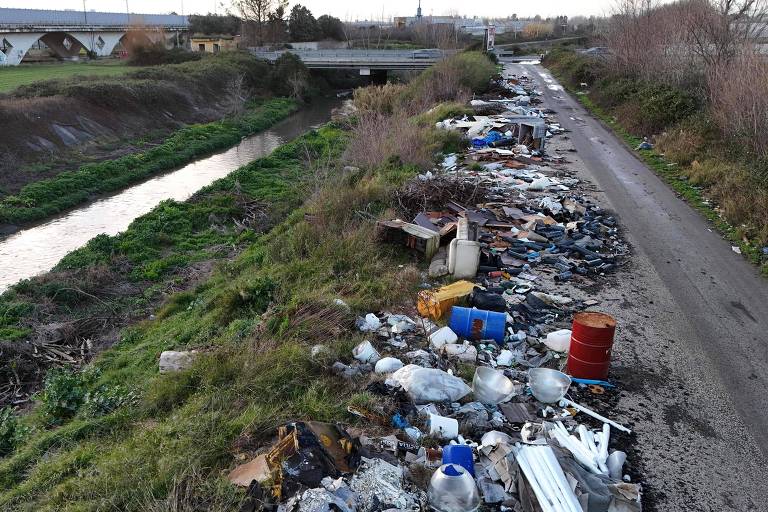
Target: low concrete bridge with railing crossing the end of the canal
x=368, y=62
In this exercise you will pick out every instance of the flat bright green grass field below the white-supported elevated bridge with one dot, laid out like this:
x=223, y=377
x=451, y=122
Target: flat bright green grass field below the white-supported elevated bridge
x=12, y=77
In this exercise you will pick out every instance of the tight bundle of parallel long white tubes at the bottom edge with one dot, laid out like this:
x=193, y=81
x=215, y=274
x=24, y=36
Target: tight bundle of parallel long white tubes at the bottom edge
x=547, y=479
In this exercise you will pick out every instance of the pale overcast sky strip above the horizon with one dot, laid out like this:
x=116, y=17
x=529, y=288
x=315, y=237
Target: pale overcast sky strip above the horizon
x=344, y=9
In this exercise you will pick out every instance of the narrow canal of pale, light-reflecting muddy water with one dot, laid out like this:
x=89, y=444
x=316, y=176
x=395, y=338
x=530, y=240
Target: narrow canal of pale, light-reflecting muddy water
x=37, y=249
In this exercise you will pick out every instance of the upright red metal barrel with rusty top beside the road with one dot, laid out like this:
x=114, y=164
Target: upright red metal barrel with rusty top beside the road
x=591, y=341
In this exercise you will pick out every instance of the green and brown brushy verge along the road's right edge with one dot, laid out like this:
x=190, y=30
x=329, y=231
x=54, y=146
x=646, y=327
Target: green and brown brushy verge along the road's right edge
x=716, y=174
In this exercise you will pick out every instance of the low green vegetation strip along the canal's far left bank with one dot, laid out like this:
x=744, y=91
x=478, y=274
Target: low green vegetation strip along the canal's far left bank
x=47, y=197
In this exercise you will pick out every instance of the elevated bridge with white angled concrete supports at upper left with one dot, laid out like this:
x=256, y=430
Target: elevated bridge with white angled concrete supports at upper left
x=67, y=32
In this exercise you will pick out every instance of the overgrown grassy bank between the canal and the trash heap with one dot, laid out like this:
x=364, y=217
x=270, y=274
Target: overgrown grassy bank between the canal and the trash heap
x=119, y=435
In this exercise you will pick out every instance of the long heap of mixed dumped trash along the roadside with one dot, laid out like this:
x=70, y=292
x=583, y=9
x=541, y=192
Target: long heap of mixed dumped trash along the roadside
x=488, y=393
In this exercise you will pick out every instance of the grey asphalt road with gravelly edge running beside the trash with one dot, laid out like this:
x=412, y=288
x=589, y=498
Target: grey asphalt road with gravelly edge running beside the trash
x=692, y=349
